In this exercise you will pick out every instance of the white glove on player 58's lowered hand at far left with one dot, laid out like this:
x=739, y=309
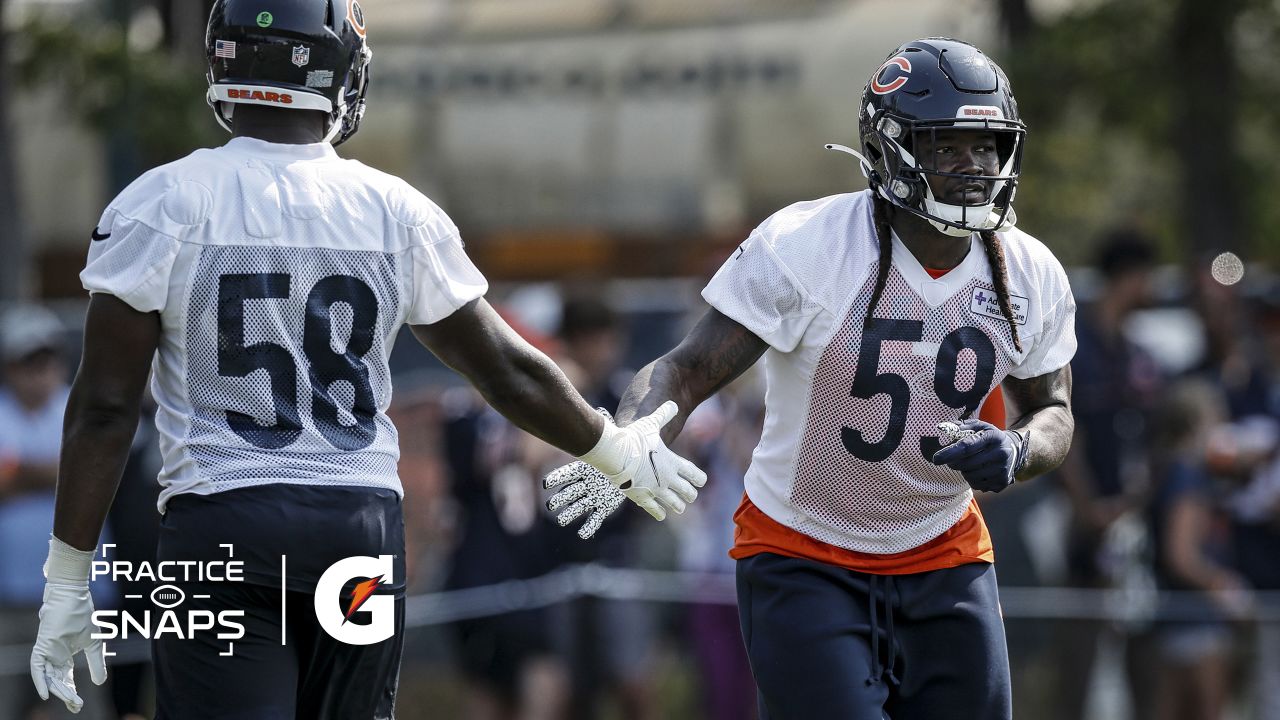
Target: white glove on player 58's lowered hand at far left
x=66, y=626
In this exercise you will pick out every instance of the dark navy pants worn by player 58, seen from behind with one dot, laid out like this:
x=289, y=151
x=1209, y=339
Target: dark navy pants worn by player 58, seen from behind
x=313, y=677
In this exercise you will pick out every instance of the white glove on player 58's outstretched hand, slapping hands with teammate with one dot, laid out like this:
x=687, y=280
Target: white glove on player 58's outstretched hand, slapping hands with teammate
x=637, y=462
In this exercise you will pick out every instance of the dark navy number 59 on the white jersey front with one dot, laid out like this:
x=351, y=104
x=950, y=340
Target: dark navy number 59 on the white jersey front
x=870, y=382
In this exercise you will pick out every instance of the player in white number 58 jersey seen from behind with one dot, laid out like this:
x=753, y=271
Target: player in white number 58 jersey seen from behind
x=266, y=282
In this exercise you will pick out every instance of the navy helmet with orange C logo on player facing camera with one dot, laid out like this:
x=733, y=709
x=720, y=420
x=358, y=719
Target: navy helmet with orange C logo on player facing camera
x=922, y=88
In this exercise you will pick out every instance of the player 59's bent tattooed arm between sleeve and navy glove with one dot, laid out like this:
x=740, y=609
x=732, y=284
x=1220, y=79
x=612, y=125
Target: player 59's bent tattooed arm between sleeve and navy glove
x=1044, y=407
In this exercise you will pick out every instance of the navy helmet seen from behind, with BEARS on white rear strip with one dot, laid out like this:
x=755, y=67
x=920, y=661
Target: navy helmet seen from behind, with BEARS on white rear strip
x=296, y=54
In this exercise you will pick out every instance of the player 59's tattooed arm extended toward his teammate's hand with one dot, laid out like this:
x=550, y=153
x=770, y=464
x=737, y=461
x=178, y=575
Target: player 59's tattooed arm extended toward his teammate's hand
x=715, y=353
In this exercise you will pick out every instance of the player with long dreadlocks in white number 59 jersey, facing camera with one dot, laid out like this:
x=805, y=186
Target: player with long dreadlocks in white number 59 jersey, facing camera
x=886, y=318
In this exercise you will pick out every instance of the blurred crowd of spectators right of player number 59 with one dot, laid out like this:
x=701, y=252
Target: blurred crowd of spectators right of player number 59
x=1173, y=485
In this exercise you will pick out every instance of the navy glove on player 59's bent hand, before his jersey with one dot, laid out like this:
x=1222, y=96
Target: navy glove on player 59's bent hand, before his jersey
x=988, y=457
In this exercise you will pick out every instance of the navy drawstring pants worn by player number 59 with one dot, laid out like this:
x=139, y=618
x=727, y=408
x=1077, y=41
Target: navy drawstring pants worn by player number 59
x=828, y=642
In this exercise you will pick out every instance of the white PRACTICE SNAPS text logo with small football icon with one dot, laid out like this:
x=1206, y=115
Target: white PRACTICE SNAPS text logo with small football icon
x=168, y=618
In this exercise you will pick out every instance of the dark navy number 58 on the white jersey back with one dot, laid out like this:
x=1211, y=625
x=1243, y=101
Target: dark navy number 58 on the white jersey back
x=326, y=366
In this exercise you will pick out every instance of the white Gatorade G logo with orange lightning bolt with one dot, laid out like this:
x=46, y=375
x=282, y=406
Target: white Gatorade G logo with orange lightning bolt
x=335, y=614
